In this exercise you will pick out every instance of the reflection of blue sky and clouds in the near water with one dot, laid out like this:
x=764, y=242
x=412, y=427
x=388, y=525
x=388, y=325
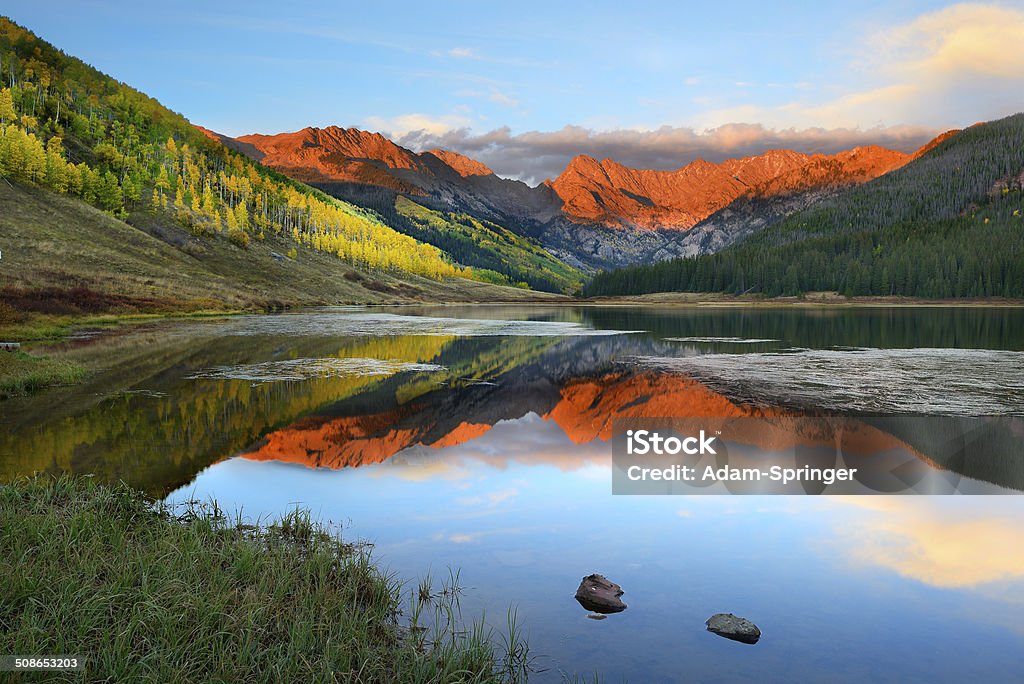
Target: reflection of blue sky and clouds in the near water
x=843, y=588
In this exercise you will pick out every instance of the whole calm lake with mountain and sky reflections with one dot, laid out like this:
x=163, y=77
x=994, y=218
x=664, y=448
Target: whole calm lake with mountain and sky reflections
x=479, y=440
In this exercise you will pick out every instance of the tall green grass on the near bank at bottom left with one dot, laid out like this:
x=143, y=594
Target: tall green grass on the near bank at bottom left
x=146, y=595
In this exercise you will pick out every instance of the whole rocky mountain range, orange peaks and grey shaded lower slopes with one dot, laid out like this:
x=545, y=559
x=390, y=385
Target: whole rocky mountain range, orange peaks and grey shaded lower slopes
x=596, y=213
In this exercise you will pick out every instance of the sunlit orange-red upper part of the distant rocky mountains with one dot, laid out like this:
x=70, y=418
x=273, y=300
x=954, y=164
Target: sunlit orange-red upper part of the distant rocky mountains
x=602, y=194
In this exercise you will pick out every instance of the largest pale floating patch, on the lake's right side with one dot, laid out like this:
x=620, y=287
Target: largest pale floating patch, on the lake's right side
x=952, y=382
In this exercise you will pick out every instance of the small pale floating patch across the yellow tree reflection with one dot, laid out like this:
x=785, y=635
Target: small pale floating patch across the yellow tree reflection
x=308, y=369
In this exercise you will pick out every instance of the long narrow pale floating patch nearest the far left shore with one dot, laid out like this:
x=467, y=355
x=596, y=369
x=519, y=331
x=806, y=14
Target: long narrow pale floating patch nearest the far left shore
x=356, y=324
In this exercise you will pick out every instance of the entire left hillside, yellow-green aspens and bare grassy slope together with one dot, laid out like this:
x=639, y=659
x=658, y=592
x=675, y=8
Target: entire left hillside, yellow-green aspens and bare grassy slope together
x=182, y=215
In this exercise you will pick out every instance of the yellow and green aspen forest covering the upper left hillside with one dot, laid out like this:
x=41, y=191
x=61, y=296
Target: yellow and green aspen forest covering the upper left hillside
x=72, y=131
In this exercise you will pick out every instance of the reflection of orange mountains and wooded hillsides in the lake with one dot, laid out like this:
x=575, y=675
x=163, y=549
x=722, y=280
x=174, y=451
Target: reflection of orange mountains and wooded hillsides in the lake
x=318, y=390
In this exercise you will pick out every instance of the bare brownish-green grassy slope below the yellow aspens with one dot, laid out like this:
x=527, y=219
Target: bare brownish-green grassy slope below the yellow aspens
x=63, y=256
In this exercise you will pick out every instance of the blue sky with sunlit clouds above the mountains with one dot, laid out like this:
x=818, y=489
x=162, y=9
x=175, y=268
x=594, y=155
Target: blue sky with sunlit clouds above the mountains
x=657, y=83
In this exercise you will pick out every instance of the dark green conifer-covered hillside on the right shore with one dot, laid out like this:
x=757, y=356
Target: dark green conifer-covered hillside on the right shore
x=948, y=225
